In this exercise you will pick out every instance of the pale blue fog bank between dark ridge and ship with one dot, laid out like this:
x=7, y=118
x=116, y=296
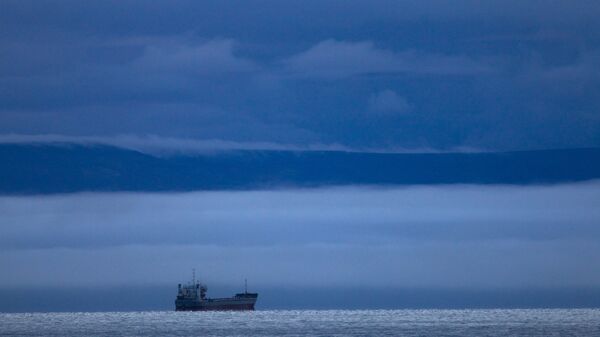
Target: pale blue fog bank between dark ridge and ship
x=418, y=236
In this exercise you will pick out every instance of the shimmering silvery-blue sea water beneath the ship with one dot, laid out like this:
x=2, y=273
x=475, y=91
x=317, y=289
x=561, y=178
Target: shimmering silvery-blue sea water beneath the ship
x=505, y=322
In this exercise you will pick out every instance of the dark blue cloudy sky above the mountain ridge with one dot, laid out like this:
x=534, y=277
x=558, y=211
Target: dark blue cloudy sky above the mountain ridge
x=370, y=74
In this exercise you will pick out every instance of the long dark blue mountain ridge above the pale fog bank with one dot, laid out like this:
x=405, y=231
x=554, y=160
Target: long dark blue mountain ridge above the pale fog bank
x=66, y=168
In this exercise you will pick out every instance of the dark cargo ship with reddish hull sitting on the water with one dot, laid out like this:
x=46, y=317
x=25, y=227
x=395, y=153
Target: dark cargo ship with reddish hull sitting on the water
x=192, y=297
